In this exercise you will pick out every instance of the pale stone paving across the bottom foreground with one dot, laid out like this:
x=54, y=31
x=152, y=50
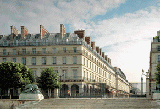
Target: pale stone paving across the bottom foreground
x=80, y=103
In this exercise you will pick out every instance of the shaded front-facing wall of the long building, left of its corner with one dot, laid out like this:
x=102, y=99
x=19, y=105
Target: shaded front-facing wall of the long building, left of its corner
x=49, y=57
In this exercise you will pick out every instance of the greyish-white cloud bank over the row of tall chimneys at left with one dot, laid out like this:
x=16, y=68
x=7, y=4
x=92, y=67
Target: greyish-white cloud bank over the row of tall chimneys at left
x=31, y=13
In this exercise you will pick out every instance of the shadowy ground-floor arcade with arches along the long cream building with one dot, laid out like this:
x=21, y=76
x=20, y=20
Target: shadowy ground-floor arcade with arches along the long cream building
x=82, y=89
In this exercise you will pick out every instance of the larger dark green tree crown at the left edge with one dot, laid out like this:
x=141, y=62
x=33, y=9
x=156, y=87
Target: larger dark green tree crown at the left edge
x=14, y=75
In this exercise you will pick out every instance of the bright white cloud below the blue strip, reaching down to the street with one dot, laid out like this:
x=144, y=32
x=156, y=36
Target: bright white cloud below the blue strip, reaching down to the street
x=127, y=39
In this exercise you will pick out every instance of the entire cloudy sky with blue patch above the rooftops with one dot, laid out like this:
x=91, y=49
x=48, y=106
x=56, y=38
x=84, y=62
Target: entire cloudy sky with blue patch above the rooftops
x=122, y=28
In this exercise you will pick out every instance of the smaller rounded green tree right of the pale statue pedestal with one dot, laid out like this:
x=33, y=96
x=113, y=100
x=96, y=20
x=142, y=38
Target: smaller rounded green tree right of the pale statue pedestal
x=48, y=79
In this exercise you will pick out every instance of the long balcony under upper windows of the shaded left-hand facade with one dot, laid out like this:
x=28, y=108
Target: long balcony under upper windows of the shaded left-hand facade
x=40, y=53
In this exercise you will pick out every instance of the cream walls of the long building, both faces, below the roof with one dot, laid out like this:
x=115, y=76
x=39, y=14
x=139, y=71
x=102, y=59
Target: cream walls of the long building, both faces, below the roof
x=89, y=67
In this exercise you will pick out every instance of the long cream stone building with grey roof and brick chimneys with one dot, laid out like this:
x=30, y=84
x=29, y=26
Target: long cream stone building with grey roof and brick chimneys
x=83, y=68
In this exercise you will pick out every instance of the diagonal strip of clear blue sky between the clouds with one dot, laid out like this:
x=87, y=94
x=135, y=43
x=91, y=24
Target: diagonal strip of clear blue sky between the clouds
x=129, y=6
